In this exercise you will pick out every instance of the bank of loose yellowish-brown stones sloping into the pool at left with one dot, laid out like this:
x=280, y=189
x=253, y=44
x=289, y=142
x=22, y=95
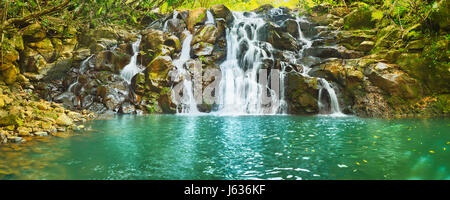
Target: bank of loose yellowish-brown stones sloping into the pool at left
x=23, y=116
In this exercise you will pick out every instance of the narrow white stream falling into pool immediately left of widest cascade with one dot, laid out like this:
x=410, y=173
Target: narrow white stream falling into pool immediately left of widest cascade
x=188, y=104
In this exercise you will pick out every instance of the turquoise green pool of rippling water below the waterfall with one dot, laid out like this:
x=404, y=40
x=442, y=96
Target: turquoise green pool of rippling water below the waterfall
x=242, y=147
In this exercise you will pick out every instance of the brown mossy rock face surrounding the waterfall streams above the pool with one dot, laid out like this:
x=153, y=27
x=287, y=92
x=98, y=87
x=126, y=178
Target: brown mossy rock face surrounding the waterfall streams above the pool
x=376, y=69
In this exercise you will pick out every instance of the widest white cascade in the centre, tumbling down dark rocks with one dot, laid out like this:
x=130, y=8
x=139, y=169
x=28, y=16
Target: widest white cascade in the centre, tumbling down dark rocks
x=239, y=90
